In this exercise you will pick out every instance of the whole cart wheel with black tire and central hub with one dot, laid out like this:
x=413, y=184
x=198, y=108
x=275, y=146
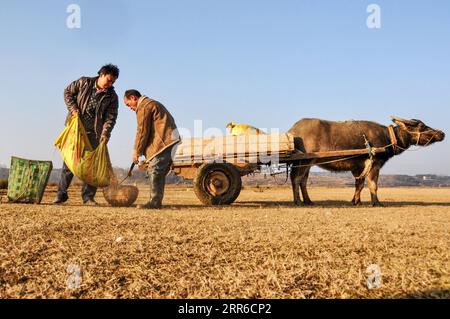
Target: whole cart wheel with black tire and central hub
x=217, y=184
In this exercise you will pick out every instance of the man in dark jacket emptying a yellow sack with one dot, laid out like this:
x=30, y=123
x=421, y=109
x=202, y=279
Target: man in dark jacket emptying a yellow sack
x=96, y=102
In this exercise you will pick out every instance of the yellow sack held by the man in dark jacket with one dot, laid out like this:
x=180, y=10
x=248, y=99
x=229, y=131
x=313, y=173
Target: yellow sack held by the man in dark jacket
x=91, y=166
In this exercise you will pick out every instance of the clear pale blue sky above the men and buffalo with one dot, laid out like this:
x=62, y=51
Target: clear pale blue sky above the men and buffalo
x=267, y=63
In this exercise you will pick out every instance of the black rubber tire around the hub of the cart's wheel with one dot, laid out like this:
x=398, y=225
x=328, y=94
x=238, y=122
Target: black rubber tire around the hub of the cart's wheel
x=227, y=198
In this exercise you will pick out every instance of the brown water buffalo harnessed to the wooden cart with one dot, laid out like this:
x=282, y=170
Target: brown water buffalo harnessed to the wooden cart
x=316, y=135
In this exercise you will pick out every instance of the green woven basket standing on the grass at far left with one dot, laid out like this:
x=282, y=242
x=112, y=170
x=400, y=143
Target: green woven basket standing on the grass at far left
x=27, y=180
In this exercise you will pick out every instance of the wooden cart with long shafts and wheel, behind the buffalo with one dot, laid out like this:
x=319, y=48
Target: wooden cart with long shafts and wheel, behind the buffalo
x=217, y=164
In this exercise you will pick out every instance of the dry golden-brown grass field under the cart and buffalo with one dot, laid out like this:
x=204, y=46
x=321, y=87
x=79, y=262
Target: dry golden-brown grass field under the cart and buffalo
x=260, y=247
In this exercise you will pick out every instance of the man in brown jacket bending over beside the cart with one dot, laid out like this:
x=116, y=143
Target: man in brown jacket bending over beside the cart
x=156, y=139
